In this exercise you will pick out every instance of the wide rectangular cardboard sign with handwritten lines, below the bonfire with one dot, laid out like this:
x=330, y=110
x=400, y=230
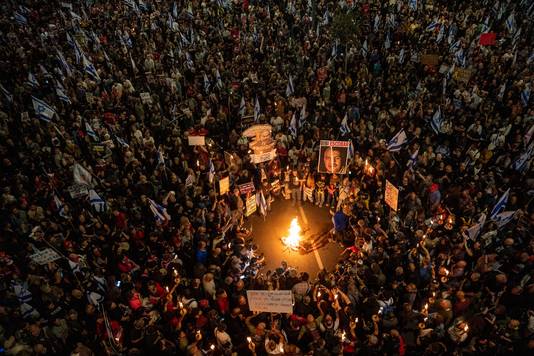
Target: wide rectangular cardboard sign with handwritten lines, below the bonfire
x=275, y=301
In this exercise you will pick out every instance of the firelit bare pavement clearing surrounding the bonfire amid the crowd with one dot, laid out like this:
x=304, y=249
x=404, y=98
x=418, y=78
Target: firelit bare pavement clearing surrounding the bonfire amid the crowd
x=267, y=234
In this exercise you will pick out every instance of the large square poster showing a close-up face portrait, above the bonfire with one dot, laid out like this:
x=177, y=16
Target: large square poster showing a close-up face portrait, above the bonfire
x=333, y=157
